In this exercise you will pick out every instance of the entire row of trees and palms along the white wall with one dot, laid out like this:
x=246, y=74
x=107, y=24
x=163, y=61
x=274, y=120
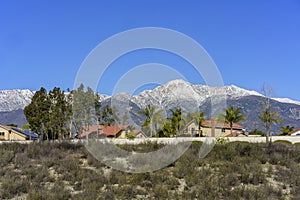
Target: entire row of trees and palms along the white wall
x=58, y=115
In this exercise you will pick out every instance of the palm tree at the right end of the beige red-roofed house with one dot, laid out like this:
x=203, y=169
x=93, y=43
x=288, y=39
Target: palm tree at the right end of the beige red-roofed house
x=232, y=116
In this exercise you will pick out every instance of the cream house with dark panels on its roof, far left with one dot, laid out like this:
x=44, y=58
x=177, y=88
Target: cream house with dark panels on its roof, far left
x=12, y=134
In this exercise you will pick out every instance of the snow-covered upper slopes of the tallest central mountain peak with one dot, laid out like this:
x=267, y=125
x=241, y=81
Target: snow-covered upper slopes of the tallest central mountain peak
x=185, y=94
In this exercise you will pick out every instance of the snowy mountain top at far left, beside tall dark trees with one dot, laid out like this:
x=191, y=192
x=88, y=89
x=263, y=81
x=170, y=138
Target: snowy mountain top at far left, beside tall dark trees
x=11, y=100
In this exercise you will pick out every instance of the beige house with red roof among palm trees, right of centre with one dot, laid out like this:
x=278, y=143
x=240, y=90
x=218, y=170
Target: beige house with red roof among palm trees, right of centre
x=213, y=128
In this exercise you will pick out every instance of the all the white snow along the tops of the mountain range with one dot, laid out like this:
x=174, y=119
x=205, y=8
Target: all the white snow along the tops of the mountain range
x=174, y=93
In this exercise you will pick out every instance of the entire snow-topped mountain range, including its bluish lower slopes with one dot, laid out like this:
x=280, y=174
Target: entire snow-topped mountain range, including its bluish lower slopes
x=176, y=93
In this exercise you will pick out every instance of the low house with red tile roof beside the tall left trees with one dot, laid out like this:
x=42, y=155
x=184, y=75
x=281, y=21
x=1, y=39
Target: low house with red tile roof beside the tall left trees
x=101, y=131
